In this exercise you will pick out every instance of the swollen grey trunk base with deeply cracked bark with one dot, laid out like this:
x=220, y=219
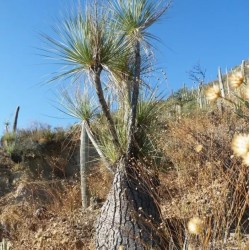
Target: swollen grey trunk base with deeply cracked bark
x=130, y=216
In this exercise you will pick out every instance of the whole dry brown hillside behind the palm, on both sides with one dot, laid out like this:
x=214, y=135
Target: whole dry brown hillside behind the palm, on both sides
x=200, y=177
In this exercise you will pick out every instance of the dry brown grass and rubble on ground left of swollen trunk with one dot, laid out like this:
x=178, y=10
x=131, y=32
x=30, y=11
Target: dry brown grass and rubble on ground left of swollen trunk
x=54, y=222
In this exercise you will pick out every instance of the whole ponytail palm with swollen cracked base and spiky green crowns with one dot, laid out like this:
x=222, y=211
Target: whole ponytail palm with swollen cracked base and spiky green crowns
x=112, y=45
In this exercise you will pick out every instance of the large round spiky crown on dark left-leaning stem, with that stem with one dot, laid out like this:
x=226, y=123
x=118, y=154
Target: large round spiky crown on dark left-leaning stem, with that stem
x=88, y=45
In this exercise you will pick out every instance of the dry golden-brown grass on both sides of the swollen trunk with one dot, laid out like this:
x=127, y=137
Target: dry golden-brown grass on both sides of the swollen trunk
x=206, y=181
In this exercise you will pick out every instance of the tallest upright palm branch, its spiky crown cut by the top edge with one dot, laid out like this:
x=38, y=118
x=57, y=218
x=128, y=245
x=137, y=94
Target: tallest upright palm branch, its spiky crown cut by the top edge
x=133, y=18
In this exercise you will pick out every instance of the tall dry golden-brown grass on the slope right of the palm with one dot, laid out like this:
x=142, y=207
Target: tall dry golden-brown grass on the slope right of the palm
x=208, y=181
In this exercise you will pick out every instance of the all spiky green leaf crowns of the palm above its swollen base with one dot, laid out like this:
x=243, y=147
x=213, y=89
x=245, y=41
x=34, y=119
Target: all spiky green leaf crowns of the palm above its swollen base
x=99, y=44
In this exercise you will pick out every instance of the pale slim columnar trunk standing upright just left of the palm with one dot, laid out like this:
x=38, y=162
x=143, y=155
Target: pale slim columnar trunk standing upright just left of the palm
x=83, y=166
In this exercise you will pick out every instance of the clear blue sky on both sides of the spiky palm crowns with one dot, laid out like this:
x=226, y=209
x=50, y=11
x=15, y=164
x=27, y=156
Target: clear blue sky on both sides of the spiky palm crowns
x=213, y=33
